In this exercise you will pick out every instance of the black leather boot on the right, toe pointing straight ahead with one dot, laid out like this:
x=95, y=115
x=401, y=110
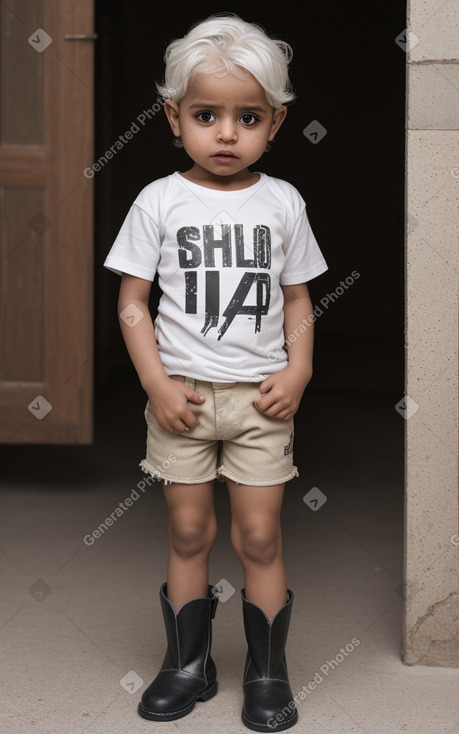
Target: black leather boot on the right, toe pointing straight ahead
x=268, y=700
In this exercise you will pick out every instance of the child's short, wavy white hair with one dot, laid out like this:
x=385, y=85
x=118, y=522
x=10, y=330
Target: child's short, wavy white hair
x=227, y=42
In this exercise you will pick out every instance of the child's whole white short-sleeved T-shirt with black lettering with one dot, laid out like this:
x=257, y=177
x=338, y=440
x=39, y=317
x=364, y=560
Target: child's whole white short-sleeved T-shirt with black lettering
x=221, y=257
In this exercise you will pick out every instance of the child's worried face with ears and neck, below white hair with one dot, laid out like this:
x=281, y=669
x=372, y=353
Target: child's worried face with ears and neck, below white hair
x=224, y=123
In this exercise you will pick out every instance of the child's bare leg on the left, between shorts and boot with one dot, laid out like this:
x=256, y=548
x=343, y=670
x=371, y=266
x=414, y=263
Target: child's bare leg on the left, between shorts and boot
x=192, y=532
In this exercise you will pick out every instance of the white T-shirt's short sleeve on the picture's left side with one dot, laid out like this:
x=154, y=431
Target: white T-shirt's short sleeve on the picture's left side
x=136, y=247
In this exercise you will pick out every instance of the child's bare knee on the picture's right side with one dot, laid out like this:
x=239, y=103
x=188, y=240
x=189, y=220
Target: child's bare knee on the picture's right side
x=257, y=544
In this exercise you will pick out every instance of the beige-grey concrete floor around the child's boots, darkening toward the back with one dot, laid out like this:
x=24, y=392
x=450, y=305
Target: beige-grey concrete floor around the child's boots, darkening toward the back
x=75, y=620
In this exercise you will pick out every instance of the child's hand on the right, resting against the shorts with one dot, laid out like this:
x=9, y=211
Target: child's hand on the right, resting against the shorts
x=284, y=390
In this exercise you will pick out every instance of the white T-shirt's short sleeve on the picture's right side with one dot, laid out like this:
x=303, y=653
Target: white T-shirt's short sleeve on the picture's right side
x=303, y=257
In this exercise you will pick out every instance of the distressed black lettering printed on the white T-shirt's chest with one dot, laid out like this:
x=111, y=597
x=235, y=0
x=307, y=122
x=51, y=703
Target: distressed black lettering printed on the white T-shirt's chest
x=195, y=252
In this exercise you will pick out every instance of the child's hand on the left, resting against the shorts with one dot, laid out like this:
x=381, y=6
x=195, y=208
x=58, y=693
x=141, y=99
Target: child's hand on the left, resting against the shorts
x=169, y=400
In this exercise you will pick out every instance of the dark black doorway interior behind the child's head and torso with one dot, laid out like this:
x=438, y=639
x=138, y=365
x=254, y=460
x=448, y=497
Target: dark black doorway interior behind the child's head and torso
x=348, y=74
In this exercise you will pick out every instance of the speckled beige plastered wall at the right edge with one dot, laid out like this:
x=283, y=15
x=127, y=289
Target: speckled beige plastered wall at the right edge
x=431, y=624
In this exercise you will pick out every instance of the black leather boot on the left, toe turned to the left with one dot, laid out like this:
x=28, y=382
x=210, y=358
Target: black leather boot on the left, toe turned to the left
x=188, y=673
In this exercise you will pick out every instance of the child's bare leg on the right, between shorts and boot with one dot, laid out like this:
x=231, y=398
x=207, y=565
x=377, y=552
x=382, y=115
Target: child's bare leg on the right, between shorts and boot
x=257, y=540
